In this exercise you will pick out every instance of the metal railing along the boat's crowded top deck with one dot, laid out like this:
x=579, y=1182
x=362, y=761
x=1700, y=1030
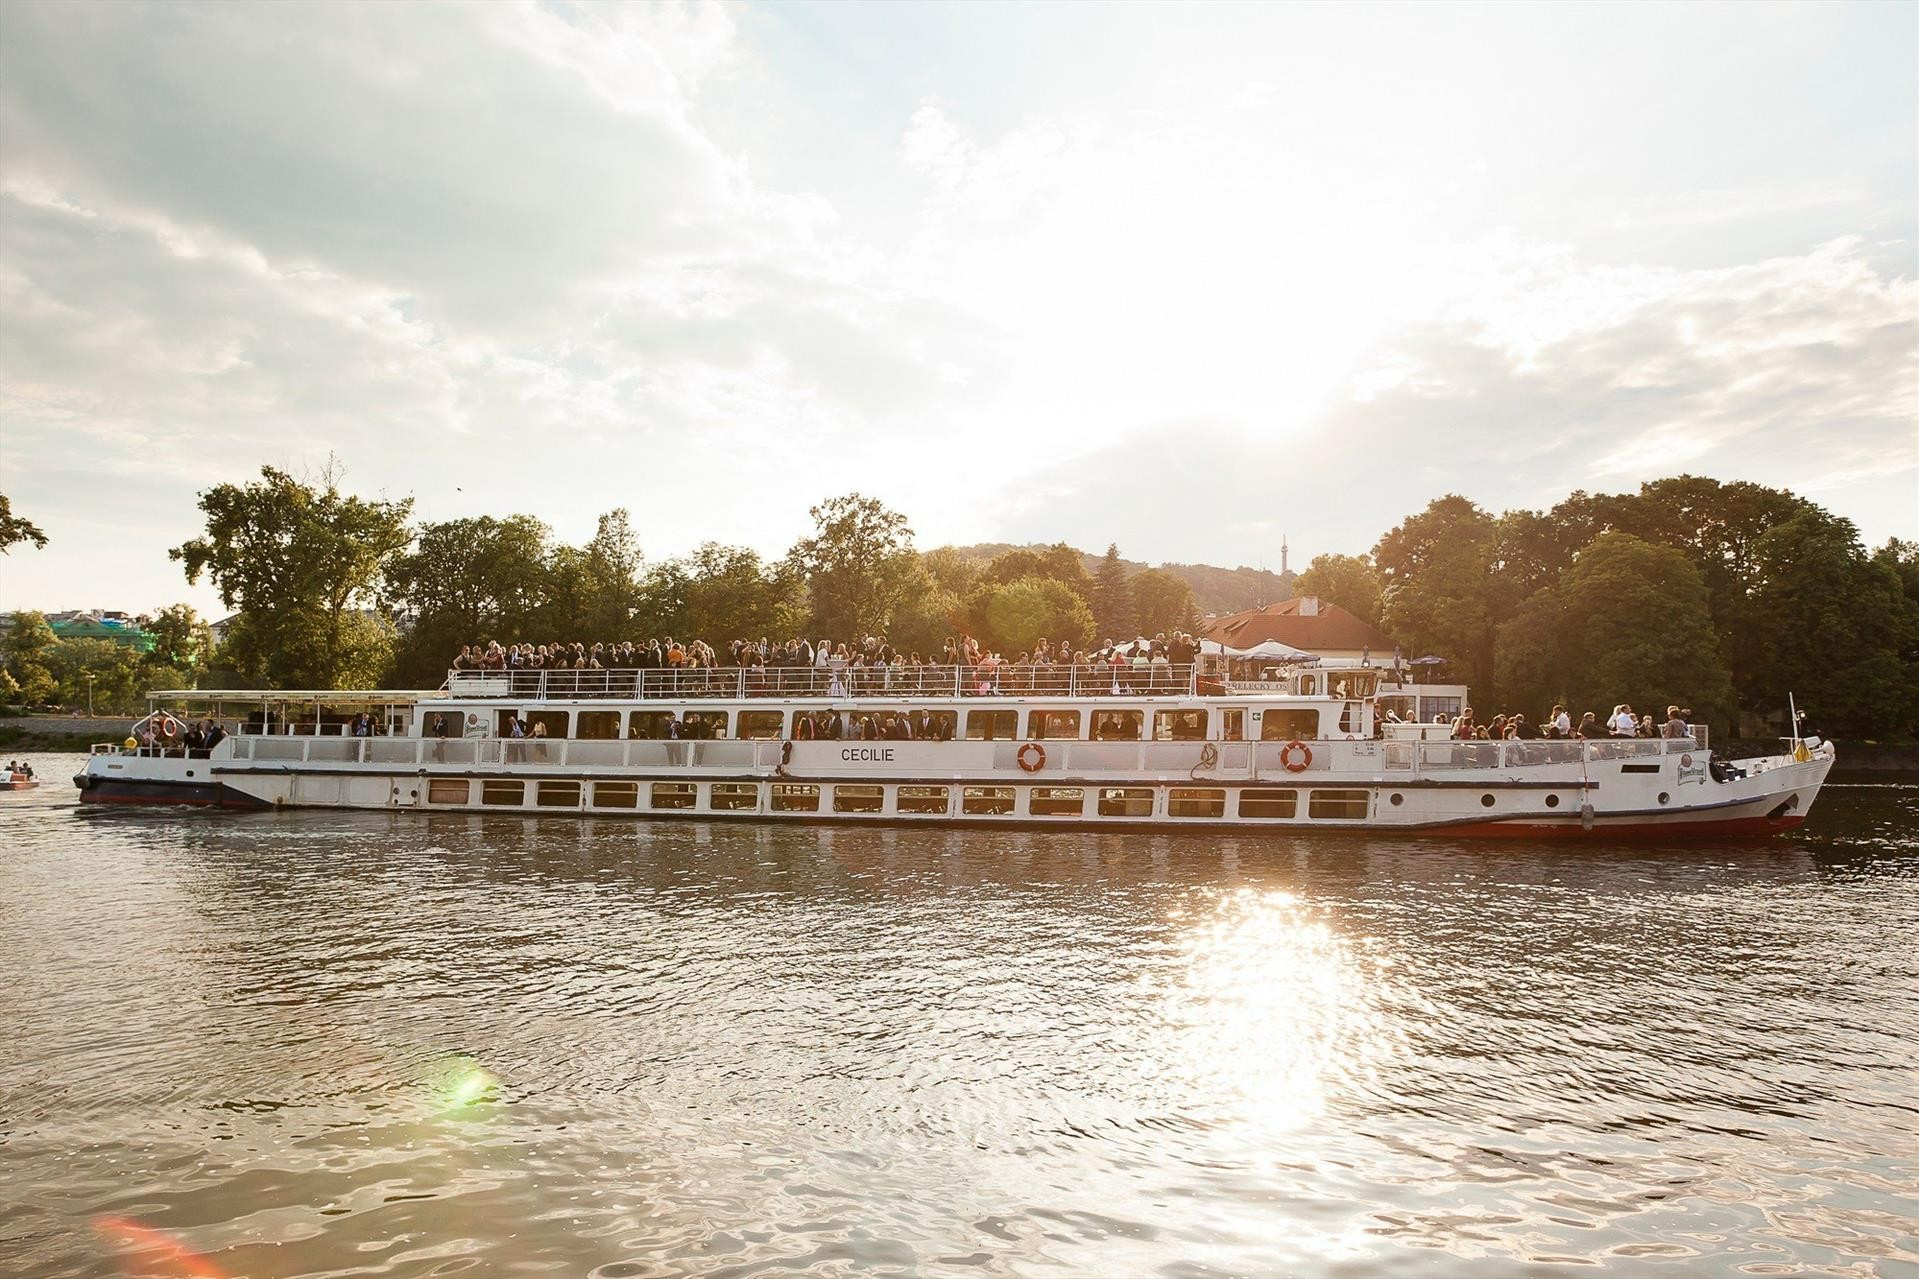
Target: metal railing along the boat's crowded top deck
x=836, y=683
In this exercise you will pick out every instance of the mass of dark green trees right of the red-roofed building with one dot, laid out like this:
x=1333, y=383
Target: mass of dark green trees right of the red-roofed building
x=1713, y=596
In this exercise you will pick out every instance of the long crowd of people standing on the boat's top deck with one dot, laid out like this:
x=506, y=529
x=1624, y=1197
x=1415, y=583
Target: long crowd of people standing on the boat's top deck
x=847, y=669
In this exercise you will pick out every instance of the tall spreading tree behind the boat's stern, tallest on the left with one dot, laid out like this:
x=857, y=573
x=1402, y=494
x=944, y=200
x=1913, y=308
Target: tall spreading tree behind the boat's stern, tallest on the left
x=298, y=564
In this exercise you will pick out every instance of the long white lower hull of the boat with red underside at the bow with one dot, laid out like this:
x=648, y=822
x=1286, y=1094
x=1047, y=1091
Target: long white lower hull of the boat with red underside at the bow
x=1623, y=800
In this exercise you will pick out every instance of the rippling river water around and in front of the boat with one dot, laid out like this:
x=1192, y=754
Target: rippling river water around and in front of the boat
x=327, y=1044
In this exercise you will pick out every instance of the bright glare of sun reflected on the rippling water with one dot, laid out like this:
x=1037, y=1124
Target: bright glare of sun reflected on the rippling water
x=1273, y=1009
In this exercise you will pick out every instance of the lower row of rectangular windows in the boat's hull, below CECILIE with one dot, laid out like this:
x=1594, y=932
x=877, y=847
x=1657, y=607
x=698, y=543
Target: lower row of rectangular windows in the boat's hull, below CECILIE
x=1118, y=802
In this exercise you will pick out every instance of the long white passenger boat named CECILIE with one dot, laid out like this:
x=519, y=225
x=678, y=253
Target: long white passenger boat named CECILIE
x=1054, y=746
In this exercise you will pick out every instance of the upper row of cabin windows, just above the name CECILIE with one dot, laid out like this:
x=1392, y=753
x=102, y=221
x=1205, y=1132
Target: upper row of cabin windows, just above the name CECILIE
x=932, y=725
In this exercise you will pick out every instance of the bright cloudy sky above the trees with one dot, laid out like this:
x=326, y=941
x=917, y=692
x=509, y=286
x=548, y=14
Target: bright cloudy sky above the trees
x=1181, y=278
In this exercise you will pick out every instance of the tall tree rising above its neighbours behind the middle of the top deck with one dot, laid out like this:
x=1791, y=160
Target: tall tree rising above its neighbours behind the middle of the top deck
x=859, y=567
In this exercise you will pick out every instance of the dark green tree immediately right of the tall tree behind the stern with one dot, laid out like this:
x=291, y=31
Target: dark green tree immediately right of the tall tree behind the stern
x=467, y=583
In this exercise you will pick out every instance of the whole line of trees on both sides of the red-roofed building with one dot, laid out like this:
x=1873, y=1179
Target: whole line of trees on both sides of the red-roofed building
x=1715, y=596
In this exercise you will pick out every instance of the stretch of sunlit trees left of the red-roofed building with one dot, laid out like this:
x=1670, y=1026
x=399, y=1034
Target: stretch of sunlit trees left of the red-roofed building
x=337, y=591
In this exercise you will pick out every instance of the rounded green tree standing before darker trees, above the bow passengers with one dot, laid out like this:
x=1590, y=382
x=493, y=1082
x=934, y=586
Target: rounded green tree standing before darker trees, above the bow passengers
x=1628, y=621
